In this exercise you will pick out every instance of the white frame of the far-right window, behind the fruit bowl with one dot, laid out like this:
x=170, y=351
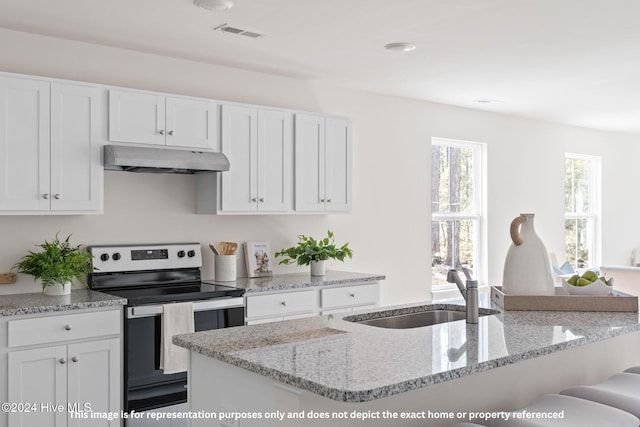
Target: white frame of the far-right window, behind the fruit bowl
x=594, y=216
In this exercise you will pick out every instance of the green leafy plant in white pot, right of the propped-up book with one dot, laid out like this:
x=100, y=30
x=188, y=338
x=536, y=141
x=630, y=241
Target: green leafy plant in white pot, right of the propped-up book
x=310, y=251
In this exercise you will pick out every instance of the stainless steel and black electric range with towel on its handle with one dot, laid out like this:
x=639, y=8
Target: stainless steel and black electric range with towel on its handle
x=150, y=276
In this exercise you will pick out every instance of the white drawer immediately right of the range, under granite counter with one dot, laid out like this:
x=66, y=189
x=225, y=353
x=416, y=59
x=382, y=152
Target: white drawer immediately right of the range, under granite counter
x=281, y=304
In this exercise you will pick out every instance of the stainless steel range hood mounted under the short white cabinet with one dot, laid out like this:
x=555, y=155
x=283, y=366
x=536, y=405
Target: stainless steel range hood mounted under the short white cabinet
x=162, y=160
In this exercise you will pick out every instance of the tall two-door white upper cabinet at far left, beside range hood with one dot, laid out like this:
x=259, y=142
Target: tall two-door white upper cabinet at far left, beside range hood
x=51, y=153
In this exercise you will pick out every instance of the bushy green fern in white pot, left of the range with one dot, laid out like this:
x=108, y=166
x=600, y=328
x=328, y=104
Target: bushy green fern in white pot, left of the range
x=57, y=265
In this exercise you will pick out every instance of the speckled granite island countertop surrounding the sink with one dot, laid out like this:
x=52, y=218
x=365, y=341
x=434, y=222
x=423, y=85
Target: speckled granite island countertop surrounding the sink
x=362, y=363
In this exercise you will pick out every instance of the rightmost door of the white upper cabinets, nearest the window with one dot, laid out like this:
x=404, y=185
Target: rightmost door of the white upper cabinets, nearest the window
x=337, y=164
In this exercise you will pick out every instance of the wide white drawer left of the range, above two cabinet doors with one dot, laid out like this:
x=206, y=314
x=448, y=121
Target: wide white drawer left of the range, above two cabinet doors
x=48, y=329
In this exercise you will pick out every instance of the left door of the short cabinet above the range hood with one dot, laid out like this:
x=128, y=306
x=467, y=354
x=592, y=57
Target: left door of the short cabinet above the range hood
x=136, y=117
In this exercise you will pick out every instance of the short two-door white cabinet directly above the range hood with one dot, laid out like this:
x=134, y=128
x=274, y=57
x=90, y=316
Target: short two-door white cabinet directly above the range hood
x=149, y=118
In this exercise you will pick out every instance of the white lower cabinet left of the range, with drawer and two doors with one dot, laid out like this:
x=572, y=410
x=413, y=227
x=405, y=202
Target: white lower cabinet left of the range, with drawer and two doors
x=69, y=382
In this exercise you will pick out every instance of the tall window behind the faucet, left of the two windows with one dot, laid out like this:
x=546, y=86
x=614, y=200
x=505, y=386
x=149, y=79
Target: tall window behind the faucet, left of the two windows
x=456, y=207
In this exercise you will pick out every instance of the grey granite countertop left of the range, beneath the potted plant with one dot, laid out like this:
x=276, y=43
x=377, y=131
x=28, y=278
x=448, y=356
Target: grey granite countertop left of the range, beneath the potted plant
x=37, y=302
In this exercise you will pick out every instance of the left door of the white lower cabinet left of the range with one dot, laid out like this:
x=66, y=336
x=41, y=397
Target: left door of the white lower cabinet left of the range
x=39, y=377
